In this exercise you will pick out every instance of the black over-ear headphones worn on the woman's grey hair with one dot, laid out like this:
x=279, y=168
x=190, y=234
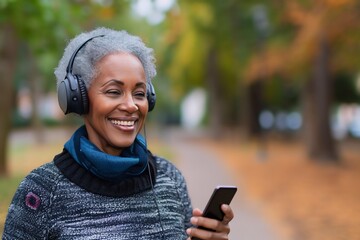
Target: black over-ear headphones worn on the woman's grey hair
x=72, y=93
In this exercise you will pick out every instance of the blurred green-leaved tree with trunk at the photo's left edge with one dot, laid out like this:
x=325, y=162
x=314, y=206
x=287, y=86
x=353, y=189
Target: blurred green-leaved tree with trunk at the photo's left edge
x=43, y=27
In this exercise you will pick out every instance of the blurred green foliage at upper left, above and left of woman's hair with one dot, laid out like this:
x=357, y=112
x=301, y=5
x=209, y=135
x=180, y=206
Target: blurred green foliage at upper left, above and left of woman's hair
x=45, y=27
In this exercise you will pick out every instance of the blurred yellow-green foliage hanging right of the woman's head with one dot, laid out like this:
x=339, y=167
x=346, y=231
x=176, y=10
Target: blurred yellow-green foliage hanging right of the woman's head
x=205, y=26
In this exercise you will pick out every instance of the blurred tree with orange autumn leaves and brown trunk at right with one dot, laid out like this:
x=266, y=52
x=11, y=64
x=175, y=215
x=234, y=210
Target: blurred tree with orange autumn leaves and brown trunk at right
x=316, y=44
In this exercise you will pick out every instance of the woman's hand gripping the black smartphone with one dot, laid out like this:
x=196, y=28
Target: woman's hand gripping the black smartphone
x=220, y=229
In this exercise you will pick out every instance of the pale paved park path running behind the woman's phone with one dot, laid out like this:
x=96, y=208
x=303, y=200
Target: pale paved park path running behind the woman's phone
x=203, y=171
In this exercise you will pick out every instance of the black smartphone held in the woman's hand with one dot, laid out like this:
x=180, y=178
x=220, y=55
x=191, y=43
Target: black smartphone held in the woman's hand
x=221, y=195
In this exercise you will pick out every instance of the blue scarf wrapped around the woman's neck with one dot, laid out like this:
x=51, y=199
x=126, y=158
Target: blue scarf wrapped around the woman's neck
x=132, y=161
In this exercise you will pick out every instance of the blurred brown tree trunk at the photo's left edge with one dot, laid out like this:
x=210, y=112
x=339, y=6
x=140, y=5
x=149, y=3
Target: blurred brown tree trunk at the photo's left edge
x=8, y=53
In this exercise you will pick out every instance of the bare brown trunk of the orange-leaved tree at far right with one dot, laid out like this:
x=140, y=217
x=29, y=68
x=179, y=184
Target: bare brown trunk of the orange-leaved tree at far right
x=317, y=105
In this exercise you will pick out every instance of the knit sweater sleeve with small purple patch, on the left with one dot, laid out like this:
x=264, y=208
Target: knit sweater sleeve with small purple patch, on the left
x=27, y=214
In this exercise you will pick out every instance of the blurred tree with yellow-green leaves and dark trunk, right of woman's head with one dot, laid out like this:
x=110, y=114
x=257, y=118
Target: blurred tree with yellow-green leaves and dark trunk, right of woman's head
x=205, y=45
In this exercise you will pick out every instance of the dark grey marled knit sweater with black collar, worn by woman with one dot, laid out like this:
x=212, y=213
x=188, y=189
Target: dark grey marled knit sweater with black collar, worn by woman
x=50, y=205
